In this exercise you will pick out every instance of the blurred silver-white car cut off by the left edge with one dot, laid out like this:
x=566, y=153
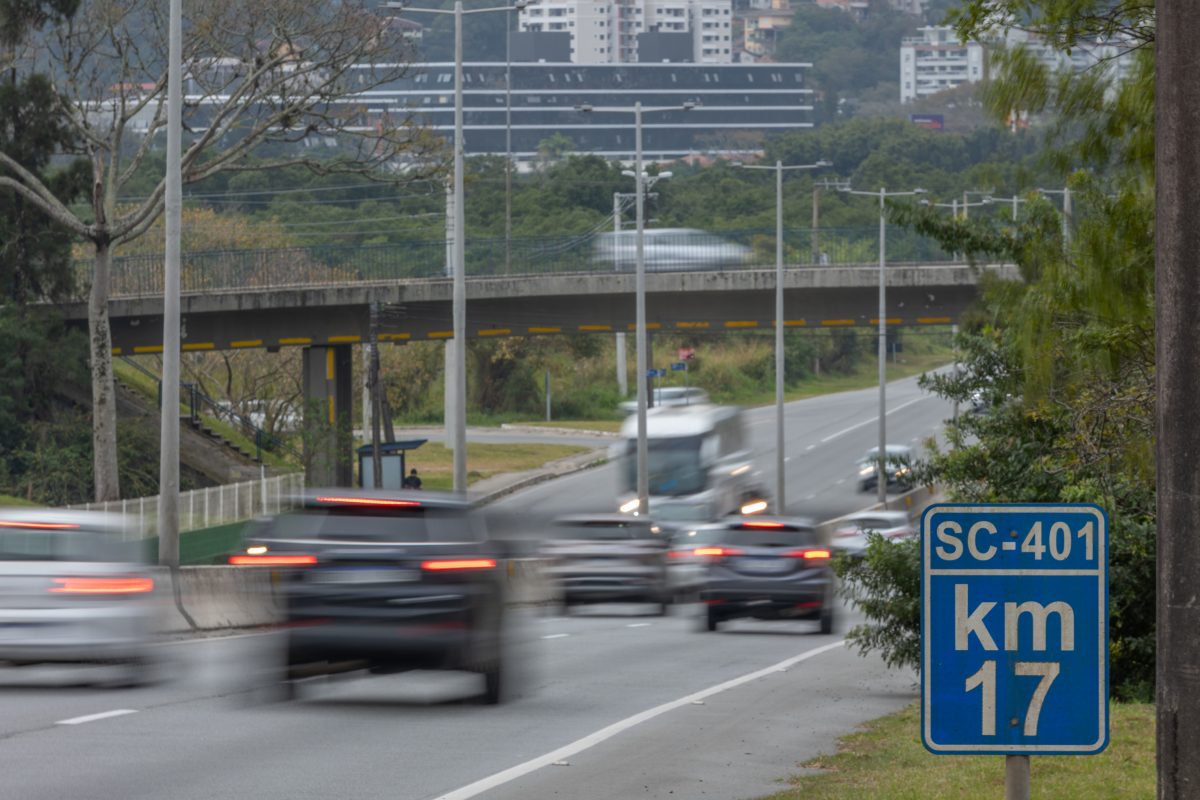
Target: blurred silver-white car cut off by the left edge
x=70, y=592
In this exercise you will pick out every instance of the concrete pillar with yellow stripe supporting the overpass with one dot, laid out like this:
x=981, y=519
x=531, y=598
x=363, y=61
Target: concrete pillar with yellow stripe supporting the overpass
x=328, y=424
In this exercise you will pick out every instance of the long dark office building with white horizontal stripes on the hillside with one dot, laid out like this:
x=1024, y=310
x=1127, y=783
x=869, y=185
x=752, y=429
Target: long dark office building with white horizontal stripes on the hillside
x=739, y=105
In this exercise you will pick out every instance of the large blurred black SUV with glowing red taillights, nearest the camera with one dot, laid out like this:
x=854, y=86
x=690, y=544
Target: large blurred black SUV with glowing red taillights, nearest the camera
x=388, y=582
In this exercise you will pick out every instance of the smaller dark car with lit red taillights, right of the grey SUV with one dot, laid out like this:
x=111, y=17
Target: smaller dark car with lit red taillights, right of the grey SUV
x=767, y=569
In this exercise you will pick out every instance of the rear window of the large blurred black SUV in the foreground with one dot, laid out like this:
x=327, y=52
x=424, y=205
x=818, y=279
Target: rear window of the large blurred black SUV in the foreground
x=379, y=525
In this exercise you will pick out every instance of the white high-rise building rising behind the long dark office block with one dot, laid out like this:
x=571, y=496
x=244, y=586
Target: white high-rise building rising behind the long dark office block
x=627, y=32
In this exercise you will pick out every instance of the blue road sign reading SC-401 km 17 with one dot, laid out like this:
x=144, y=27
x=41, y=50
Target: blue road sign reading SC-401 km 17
x=1015, y=628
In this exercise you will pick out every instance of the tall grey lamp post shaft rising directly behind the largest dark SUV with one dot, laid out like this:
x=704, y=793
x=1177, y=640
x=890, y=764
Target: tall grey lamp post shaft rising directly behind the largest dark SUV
x=460, y=270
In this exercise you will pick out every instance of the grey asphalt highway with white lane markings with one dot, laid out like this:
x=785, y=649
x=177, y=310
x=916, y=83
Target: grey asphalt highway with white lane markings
x=614, y=703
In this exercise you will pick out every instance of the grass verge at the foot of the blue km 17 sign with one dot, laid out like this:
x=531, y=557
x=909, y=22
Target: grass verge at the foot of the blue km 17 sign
x=886, y=761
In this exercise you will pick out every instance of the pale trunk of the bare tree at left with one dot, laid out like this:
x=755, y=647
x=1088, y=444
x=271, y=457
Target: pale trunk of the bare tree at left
x=104, y=390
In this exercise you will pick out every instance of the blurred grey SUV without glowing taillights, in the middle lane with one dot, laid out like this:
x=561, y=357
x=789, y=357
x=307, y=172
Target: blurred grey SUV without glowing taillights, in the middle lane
x=608, y=558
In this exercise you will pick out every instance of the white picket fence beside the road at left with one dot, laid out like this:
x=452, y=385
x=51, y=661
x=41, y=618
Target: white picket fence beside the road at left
x=218, y=506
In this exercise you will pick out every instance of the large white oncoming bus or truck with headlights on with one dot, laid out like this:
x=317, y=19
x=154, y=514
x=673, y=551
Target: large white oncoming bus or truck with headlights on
x=699, y=464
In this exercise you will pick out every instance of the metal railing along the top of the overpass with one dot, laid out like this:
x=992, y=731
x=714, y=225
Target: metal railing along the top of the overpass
x=671, y=250
